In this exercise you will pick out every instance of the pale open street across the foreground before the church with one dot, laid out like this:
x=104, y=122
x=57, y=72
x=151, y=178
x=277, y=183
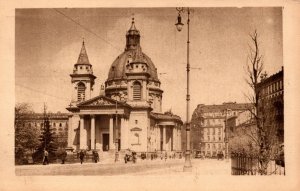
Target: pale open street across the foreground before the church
x=147, y=167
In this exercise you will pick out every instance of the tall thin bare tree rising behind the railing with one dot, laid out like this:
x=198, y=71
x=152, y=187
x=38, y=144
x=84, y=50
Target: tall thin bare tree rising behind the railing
x=265, y=132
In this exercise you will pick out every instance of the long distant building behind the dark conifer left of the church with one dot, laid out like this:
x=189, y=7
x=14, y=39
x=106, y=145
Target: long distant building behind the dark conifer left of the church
x=58, y=124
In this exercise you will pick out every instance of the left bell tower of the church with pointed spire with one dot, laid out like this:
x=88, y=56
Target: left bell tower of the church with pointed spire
x=82, y=77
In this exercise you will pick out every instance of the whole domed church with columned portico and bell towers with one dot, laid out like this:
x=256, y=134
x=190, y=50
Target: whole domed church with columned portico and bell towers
x=127, y=114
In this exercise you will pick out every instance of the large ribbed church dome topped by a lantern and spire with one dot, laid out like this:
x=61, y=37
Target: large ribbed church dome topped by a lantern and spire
x=133, y=53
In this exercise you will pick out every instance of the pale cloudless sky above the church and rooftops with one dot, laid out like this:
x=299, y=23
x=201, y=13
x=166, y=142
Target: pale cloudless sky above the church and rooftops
x=48, y=44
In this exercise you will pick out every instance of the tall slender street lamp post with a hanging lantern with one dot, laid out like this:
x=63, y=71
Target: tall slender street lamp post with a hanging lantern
x=179, y=25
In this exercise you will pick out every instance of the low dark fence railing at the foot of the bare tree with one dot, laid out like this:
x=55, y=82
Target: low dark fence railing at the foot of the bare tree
x=244, y=164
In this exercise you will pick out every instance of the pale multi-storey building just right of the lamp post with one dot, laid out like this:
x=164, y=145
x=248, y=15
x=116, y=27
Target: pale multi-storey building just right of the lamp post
x=208, y=125
